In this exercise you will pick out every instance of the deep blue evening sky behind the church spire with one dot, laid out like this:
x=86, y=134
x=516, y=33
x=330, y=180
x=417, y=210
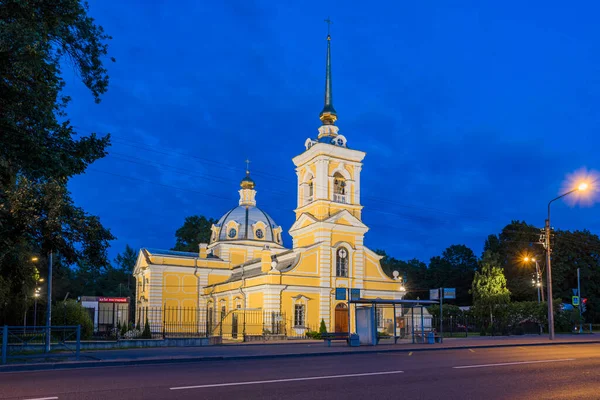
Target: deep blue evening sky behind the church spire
x=471, y=115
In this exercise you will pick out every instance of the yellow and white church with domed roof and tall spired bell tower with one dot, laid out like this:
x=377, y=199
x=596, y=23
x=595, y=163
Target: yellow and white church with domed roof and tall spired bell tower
x=245, y=282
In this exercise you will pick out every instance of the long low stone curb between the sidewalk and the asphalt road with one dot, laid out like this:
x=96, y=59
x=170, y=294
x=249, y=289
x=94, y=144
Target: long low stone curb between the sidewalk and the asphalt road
x=159, y=361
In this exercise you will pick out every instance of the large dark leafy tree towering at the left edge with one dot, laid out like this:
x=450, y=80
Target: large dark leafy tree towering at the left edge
x=40, y=148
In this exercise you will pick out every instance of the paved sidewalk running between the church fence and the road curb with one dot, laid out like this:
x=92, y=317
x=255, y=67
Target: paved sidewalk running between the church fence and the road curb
x=285, y=349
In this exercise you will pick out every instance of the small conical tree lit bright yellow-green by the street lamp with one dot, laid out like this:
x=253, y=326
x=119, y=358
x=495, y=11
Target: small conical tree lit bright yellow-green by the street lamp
x=489, y=285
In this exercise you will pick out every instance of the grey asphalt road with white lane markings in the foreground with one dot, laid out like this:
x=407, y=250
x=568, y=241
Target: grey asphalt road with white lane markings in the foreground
x=541, y=372
